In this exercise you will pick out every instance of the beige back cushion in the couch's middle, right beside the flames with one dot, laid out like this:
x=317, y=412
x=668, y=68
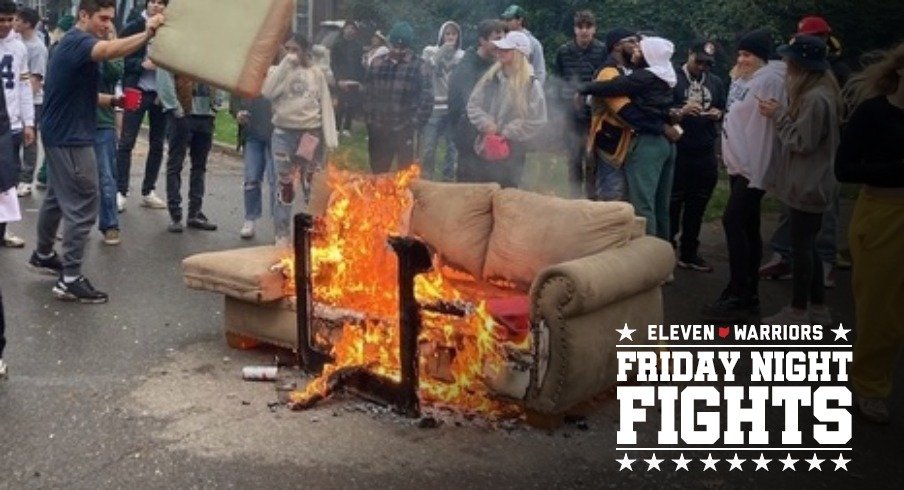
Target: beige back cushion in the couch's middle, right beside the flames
x=456, y=219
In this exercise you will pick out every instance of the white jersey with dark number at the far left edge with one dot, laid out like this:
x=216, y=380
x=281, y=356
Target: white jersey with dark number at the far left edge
x=19, y=97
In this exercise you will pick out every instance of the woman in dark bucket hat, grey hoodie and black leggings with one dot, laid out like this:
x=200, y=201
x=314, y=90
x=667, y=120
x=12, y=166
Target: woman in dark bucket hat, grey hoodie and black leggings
x=803, y=177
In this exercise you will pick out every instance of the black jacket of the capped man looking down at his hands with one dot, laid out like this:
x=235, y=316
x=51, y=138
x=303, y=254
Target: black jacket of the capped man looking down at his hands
x=700, y=132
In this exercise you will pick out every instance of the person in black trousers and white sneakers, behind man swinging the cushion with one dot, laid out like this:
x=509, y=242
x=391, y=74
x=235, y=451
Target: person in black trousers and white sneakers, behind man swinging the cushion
x=140, y=73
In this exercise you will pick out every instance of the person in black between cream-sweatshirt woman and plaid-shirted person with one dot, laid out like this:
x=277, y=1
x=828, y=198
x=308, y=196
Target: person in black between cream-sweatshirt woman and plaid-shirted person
x=345, y=61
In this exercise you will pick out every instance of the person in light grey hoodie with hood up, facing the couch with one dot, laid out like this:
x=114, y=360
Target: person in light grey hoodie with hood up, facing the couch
x=442, y=59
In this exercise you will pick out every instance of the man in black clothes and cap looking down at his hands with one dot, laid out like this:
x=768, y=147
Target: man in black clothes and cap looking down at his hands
x=700, y=102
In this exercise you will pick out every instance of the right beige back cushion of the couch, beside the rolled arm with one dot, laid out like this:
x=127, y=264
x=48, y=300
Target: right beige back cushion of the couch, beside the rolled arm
x=533, y=231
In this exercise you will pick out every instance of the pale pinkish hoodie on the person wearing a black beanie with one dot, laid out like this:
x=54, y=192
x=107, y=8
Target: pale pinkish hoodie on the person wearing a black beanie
x=748, y=137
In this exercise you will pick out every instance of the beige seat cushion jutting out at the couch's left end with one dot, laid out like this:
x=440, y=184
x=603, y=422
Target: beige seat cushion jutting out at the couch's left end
x=243, y=273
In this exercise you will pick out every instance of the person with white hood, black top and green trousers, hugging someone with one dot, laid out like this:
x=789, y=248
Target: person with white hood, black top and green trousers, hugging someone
x=650, y=163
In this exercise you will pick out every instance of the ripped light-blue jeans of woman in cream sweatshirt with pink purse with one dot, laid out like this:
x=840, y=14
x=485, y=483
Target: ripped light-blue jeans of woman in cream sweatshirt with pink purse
x=292, y=170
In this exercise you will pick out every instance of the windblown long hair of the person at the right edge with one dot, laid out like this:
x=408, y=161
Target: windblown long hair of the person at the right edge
x=879, y=77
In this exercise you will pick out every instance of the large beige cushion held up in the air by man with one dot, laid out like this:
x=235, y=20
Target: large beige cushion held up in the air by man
x=226, y=43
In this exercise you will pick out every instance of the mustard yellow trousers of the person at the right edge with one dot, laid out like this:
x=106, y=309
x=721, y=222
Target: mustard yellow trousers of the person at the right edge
x=877, y=247
